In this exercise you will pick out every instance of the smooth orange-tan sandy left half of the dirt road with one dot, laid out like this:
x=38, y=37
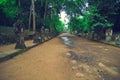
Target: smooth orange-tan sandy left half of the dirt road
x=44, y=62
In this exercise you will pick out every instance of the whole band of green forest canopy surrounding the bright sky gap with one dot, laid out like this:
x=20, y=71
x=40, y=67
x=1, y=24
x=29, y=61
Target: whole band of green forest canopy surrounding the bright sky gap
x=94, y=13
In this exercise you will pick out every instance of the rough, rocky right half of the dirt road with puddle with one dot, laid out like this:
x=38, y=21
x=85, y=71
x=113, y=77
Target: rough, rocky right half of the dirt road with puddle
x=91, y=60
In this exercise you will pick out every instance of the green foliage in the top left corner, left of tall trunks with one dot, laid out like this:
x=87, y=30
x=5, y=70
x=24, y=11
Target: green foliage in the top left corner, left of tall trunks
x=8, y=11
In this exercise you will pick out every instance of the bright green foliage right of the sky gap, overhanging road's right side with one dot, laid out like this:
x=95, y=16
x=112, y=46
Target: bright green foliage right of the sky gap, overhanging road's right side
x=92, y=18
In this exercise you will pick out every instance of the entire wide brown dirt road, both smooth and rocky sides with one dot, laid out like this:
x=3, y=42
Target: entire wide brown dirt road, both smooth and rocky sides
x=64, y=58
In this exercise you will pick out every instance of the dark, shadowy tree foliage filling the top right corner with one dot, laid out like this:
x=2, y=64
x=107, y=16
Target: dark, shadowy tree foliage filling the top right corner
x=107, y=12
